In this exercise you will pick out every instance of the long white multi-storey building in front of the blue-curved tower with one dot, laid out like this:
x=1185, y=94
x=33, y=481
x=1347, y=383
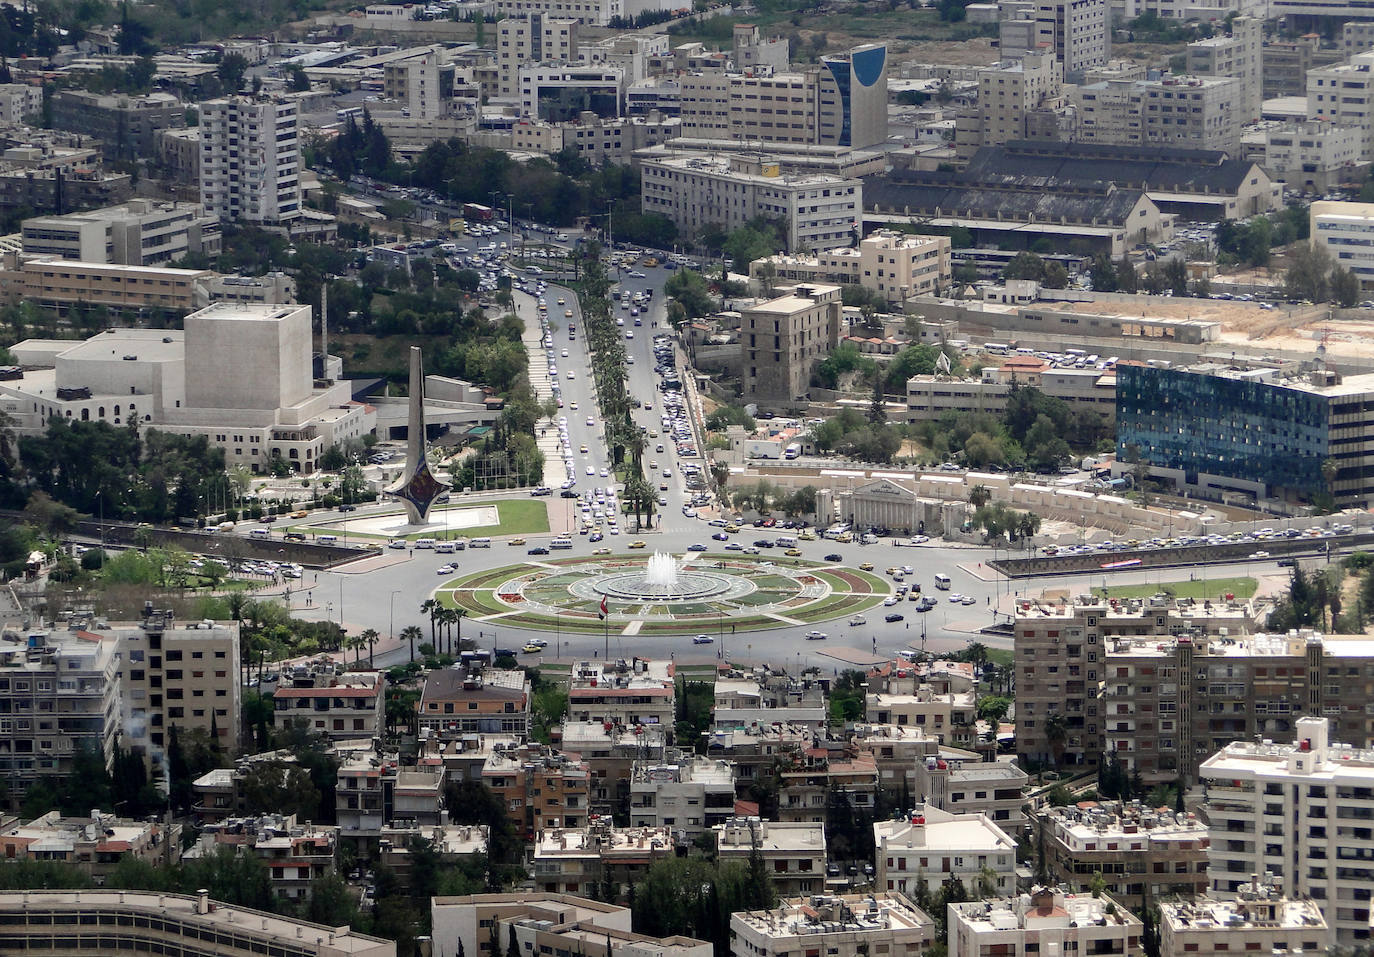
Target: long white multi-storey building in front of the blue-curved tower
x=692, y=190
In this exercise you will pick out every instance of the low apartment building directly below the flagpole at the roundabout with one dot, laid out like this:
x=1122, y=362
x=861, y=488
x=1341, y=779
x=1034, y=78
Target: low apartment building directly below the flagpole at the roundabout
x=623, y=694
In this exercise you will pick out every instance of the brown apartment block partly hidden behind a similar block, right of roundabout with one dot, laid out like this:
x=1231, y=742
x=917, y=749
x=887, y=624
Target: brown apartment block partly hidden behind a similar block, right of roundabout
x=1060, y=661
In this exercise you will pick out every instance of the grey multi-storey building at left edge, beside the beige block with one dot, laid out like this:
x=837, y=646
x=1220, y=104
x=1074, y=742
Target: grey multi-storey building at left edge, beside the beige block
x=61, y=695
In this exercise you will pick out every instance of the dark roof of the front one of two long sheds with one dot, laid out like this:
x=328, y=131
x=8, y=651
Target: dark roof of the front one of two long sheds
x=956, y=196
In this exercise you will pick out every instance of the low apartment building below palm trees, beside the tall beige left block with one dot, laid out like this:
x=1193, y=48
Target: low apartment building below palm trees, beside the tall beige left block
x=341, y=708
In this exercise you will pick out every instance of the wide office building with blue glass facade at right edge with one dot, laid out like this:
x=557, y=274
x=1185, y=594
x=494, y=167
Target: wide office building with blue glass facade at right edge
x=1214, y=429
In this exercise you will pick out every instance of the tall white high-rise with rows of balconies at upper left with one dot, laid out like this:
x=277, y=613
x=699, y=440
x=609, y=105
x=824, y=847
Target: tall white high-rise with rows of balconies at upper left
x=251, y=160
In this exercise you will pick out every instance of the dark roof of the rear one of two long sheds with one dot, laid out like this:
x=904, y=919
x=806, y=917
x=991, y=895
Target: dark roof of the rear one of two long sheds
x=1041, y=165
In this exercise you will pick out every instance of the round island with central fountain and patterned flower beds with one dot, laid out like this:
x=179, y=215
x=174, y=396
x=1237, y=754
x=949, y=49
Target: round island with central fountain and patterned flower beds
x=662, y=594
